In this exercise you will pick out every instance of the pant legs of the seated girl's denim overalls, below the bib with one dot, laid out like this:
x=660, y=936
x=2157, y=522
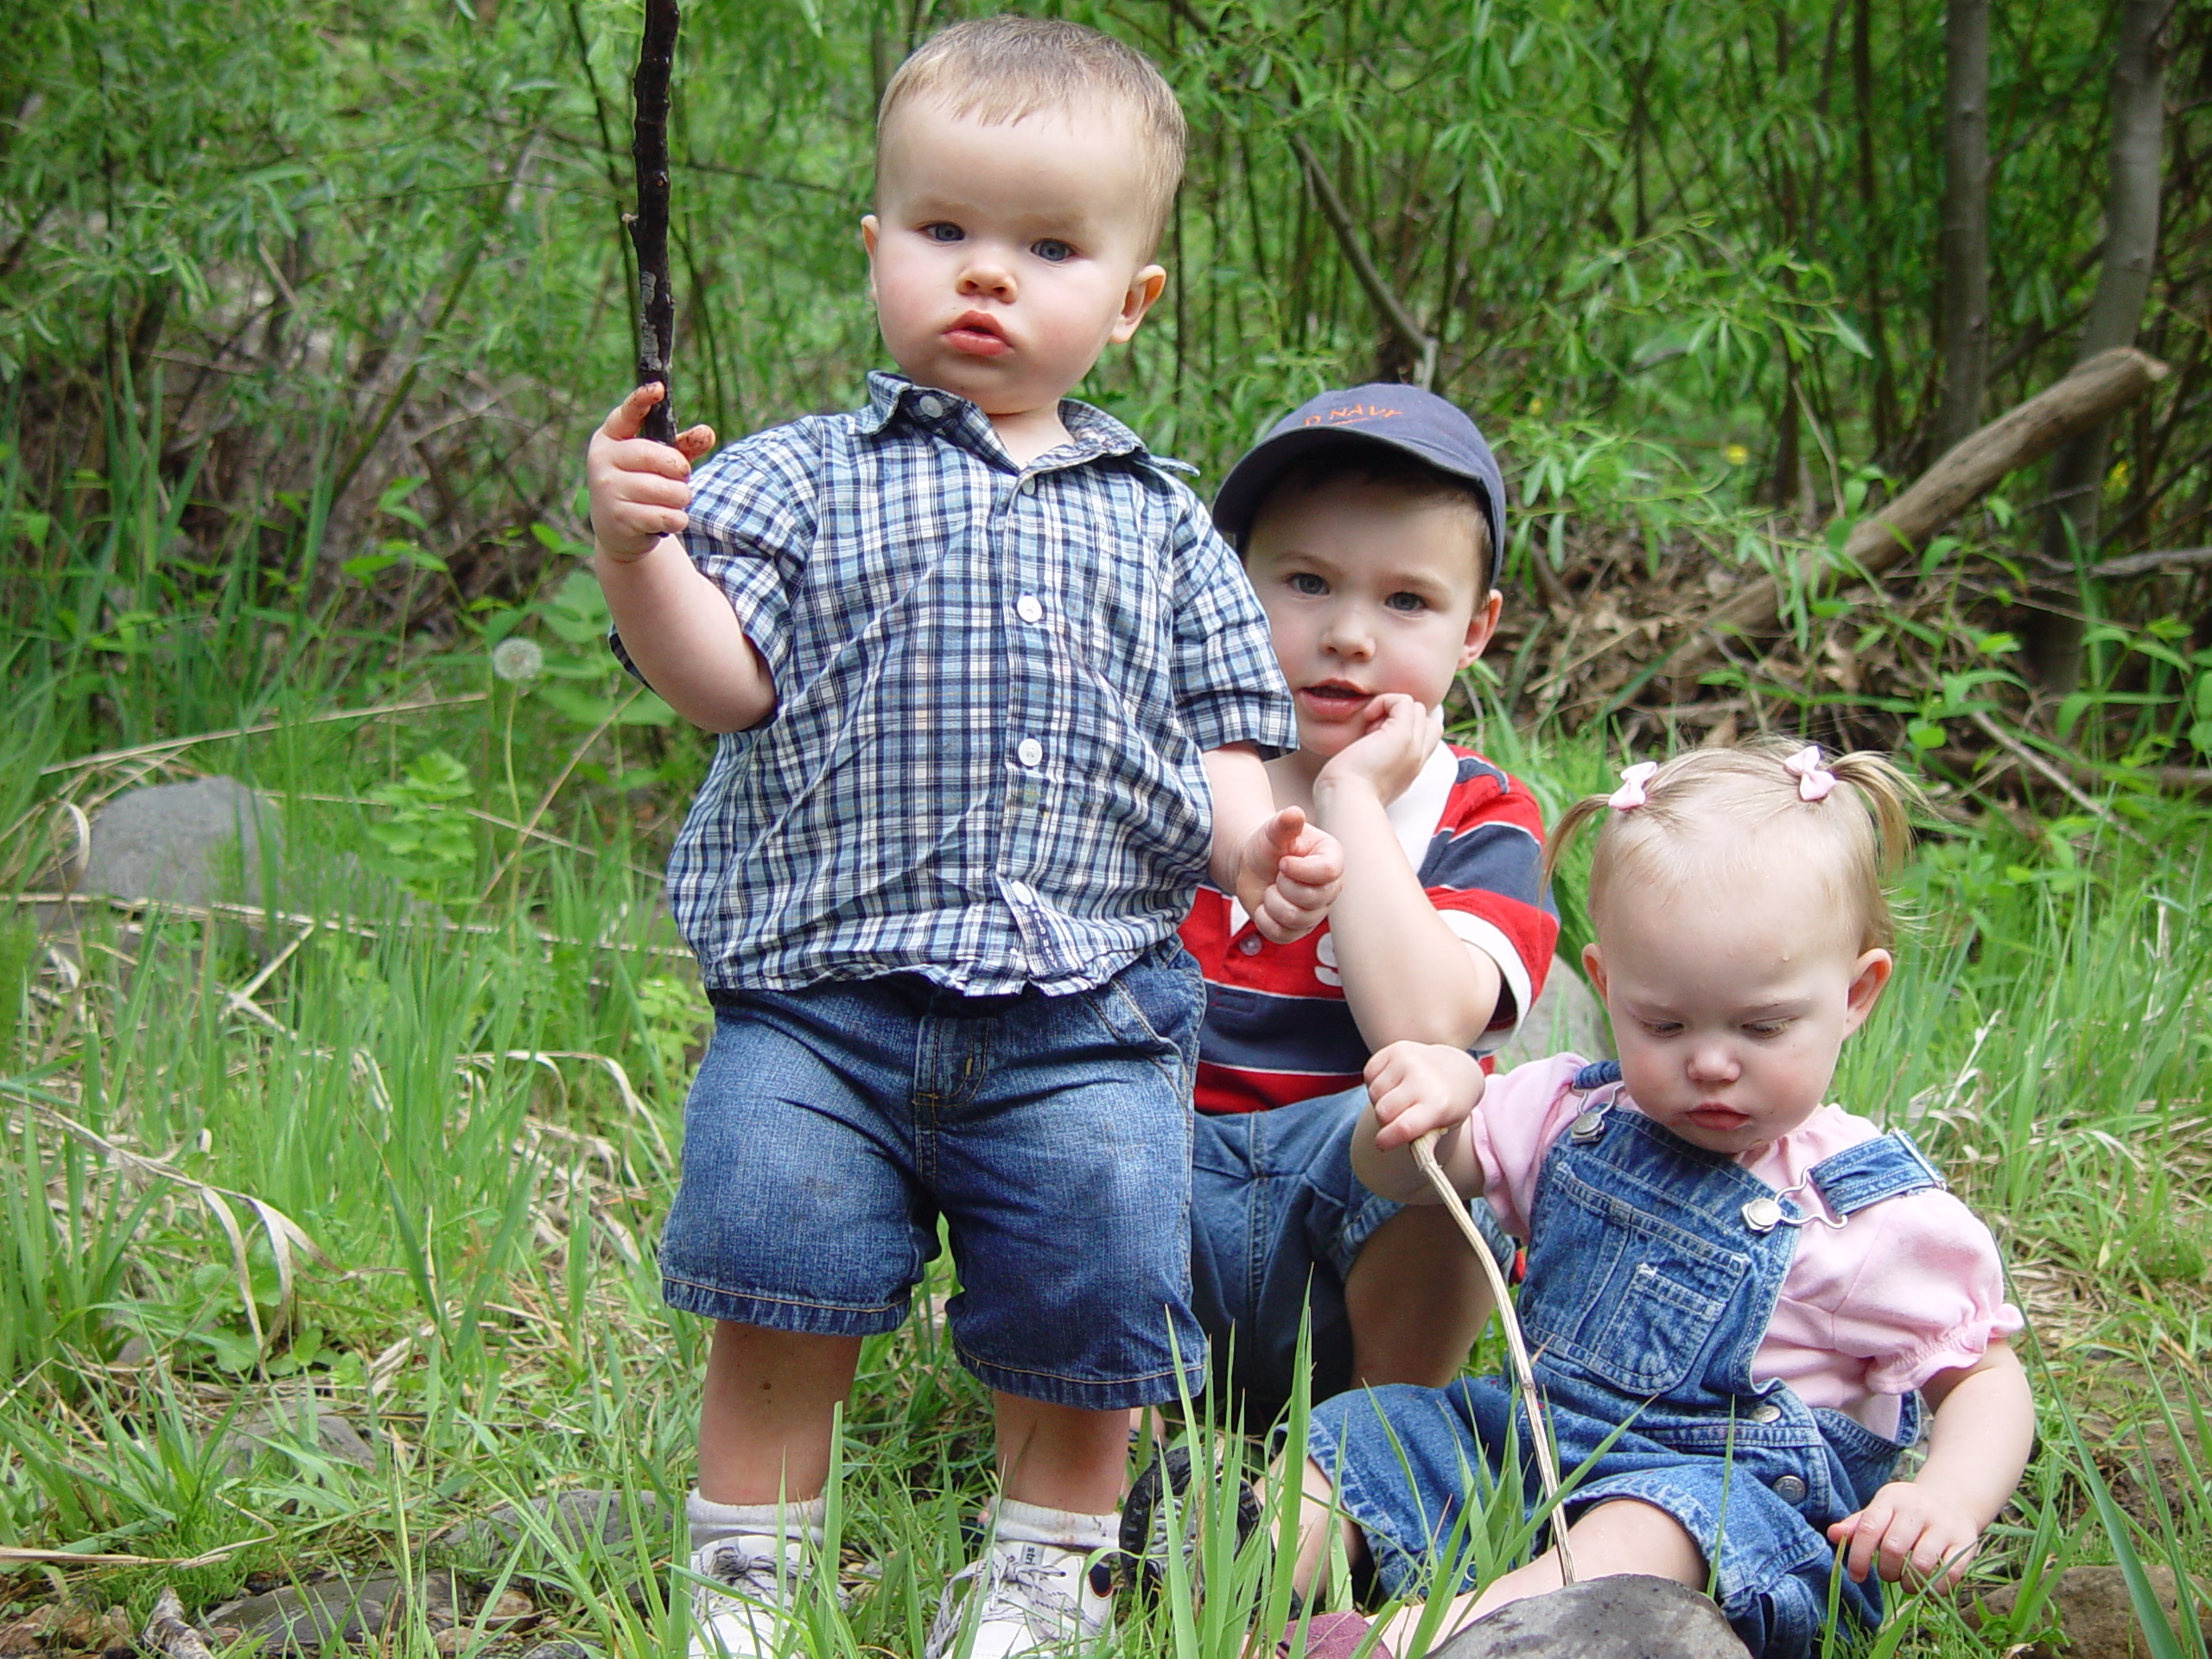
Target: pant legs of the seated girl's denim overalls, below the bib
x=1406, y=1463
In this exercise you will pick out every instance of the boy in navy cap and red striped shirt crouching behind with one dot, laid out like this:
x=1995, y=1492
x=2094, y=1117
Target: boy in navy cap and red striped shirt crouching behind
x=1373, y=530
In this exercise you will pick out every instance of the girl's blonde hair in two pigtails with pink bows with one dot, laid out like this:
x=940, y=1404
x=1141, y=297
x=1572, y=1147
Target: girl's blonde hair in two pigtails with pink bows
x=1850, y=839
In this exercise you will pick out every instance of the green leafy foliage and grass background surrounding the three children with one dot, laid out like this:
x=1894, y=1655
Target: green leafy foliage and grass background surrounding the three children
x=304, y=315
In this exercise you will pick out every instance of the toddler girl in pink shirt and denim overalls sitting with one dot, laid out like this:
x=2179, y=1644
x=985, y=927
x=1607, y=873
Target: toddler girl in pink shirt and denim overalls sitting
x=1753, y=1293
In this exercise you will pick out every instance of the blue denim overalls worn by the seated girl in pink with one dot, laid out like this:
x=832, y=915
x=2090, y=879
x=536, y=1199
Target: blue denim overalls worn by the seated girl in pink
x=1653, y=1271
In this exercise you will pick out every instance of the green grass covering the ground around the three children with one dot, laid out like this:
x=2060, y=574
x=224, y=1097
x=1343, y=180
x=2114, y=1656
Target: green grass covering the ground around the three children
x=455, y=1063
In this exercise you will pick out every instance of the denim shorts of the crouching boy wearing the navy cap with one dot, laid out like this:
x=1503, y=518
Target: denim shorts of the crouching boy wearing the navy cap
x=1277, y=1218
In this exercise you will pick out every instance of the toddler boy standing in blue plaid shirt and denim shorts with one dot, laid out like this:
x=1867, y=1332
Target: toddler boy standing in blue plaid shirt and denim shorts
x=994, y=698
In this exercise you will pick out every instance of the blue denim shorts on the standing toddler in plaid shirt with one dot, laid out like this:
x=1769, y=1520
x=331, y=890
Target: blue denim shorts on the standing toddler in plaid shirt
x=831, y=1129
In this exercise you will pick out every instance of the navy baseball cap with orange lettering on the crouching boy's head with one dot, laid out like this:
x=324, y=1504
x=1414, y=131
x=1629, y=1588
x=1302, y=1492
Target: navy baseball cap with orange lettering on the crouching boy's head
x=1395, y=417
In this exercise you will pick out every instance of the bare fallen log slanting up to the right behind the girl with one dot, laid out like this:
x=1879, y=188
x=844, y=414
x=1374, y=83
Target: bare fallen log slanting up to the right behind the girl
x=2030, y=432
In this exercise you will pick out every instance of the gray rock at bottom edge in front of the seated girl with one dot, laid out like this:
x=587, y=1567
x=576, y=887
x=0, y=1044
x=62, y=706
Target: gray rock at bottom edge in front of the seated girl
x=1616, y=1618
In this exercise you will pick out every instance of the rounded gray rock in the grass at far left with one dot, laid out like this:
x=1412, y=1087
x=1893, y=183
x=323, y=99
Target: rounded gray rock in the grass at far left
x=185, y=844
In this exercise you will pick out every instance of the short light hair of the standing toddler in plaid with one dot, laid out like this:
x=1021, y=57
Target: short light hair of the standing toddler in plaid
x=1001, y=70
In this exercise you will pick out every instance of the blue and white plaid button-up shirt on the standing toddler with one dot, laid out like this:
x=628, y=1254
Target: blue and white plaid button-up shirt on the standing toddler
x=994, y=689
